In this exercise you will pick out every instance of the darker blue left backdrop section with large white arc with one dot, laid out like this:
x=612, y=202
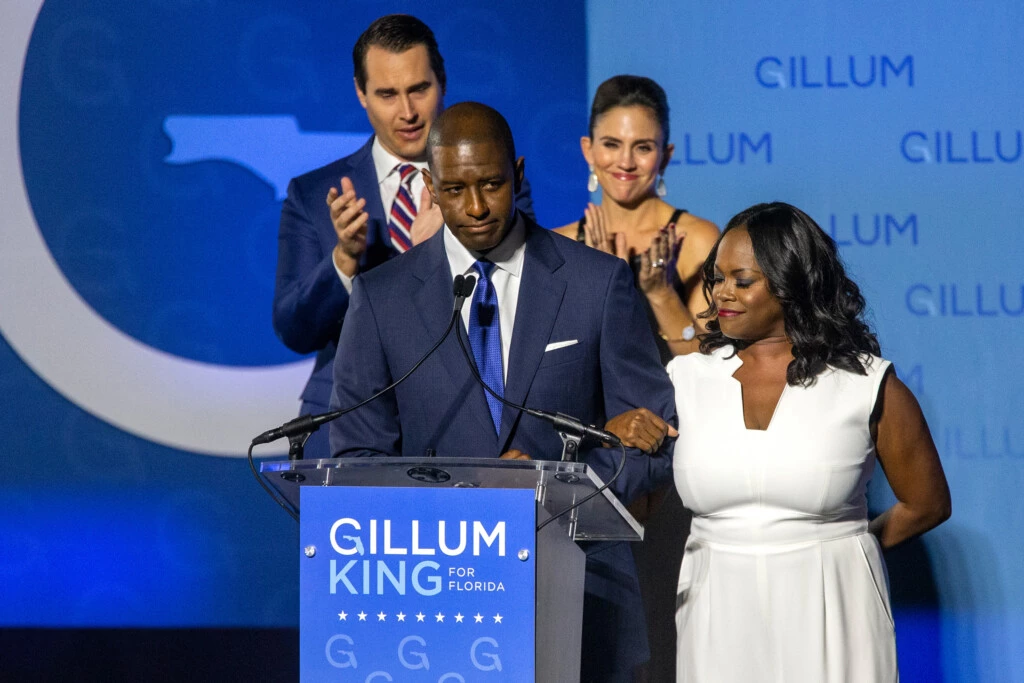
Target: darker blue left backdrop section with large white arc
x=146, y=269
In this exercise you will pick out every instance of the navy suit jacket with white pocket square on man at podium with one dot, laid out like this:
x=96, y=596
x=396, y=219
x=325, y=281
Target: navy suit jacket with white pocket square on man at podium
x=568, y=292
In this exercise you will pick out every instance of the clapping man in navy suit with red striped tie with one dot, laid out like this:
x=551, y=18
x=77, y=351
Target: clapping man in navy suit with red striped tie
x=400, y=80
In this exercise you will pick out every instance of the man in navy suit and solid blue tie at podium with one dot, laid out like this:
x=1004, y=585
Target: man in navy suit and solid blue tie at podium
x=552, y=325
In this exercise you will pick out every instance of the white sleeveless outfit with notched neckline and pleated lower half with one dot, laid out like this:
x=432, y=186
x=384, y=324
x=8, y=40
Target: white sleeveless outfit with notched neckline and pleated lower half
x=781, y=580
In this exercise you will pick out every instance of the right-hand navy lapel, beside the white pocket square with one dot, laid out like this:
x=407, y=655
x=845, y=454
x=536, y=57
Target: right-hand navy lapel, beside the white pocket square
x=541, y=295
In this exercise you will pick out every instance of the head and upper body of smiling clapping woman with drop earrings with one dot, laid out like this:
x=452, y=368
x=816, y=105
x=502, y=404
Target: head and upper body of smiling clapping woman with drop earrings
x=628, y=151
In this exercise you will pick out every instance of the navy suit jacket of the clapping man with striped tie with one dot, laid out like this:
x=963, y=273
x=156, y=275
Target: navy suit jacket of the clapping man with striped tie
x=310, y=302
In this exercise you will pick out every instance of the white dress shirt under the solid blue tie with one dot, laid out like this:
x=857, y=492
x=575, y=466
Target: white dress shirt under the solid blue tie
x=508, y=260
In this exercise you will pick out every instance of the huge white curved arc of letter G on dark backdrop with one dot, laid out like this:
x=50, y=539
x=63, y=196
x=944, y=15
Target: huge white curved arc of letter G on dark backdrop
x=168, y=400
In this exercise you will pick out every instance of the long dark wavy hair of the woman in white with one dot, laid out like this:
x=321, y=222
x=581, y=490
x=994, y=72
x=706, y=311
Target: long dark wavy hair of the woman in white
x=823, y=309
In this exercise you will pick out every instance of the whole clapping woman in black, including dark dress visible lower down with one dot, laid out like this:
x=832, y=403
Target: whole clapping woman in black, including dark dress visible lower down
x=628, y=151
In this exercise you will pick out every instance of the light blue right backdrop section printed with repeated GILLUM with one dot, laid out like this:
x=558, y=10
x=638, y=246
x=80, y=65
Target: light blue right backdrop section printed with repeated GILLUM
x=899, y=129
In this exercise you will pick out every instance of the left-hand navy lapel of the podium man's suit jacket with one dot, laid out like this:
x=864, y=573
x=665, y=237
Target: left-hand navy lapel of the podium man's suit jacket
x=434, y=302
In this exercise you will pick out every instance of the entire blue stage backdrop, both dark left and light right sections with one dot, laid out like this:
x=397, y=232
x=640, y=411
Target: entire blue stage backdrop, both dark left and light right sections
x=144, y=150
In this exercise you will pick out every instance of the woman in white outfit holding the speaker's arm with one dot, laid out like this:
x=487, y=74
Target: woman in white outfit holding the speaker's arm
x=782, y=418
